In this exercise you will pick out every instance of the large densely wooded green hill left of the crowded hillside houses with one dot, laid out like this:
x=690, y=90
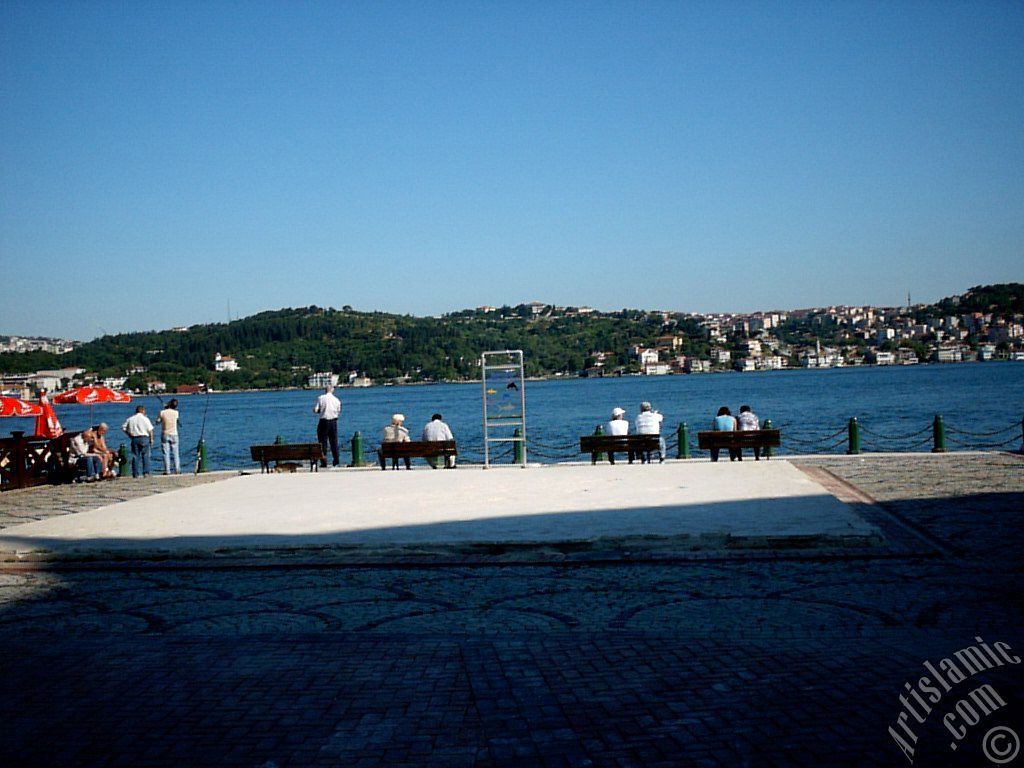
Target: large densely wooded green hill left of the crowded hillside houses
x=283, y=348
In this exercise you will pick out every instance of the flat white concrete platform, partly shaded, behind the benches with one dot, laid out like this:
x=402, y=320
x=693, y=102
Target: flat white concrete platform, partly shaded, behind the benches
x=468, y=505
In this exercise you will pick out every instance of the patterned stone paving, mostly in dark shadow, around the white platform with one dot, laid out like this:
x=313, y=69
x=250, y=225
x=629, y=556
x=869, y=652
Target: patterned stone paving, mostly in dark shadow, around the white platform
x=730, y=658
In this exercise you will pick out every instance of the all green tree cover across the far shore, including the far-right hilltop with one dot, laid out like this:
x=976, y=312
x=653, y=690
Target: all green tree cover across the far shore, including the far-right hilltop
x=283, y=348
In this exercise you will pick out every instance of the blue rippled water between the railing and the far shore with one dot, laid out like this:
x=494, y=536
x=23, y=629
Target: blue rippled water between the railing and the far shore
x=983, y=406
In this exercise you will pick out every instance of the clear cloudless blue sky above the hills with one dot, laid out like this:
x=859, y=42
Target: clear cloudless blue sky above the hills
x=159, y=160
